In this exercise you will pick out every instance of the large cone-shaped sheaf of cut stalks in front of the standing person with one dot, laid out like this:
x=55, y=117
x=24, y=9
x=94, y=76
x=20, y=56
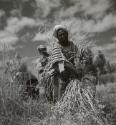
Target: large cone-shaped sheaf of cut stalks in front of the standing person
x=77, y=104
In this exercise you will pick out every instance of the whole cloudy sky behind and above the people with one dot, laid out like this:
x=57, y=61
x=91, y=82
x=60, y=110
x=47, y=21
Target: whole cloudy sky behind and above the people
x=25, y=24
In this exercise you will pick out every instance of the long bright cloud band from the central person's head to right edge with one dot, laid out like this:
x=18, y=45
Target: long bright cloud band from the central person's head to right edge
x=90, y=26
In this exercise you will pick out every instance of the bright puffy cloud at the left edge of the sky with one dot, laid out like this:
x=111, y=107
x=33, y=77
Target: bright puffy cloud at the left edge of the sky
x=9, y=36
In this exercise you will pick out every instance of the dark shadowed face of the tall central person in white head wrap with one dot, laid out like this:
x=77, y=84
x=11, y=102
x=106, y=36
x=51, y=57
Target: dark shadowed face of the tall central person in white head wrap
x=63, y=37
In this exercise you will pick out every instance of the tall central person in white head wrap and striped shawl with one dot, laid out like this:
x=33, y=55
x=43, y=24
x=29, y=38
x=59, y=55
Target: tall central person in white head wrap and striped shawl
x=63, y=57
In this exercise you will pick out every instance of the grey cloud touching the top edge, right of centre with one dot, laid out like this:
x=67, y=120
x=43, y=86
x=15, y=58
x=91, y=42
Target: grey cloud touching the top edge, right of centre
x=94, y=8
